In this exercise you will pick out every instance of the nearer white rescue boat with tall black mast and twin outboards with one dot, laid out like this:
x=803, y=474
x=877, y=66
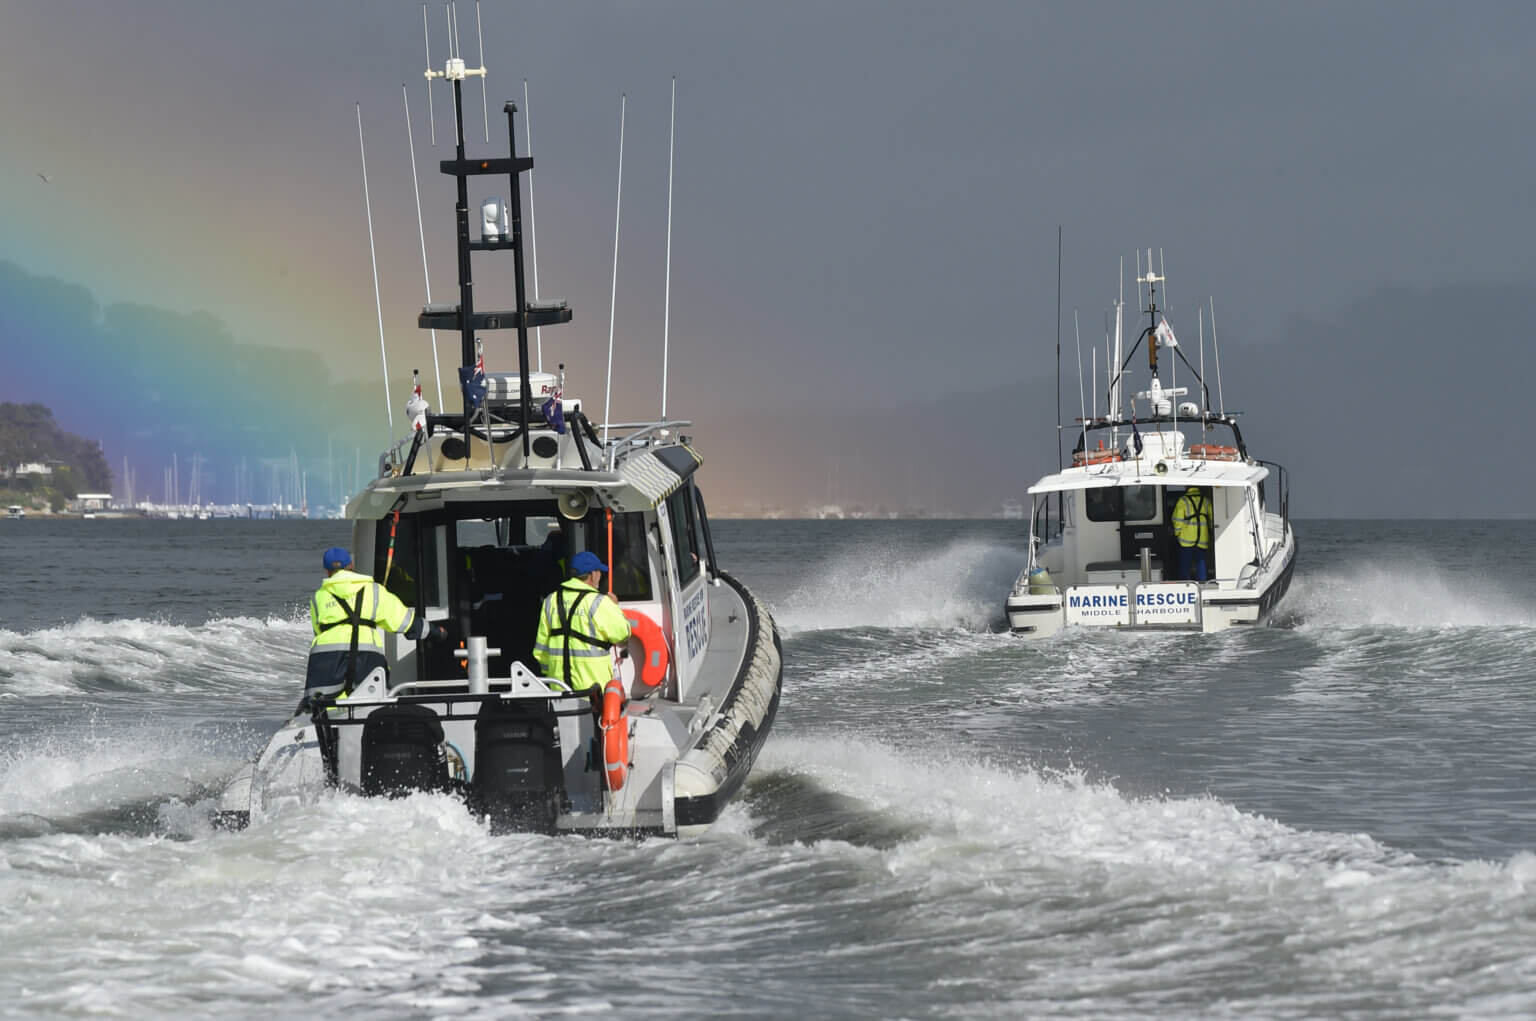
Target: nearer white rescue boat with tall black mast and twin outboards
x=472, y=521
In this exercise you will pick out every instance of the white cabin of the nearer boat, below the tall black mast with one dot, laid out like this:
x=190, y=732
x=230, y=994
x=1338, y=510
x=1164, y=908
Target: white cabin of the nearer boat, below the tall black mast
x=485, y=561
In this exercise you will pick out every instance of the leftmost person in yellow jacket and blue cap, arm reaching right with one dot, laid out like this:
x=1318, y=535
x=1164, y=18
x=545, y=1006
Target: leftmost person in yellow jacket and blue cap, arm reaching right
x=349, y=615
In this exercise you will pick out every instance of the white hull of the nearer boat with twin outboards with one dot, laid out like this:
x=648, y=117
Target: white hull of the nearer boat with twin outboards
x=529, y=759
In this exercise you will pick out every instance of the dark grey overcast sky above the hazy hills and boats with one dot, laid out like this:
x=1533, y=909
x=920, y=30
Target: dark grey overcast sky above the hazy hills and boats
x=867, y=194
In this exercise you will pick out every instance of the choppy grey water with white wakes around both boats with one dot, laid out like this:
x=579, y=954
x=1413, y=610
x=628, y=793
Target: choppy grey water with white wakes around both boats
x=1326, y=819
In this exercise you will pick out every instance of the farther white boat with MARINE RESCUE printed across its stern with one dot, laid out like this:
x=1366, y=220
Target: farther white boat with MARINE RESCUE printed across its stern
x=1104, y=550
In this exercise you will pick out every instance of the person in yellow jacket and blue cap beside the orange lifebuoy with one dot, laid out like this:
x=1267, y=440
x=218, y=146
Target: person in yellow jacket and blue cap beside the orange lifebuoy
x=577, y=627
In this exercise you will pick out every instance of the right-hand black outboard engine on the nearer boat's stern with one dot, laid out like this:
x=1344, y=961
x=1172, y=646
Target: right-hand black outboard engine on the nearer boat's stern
x=518, y=781
